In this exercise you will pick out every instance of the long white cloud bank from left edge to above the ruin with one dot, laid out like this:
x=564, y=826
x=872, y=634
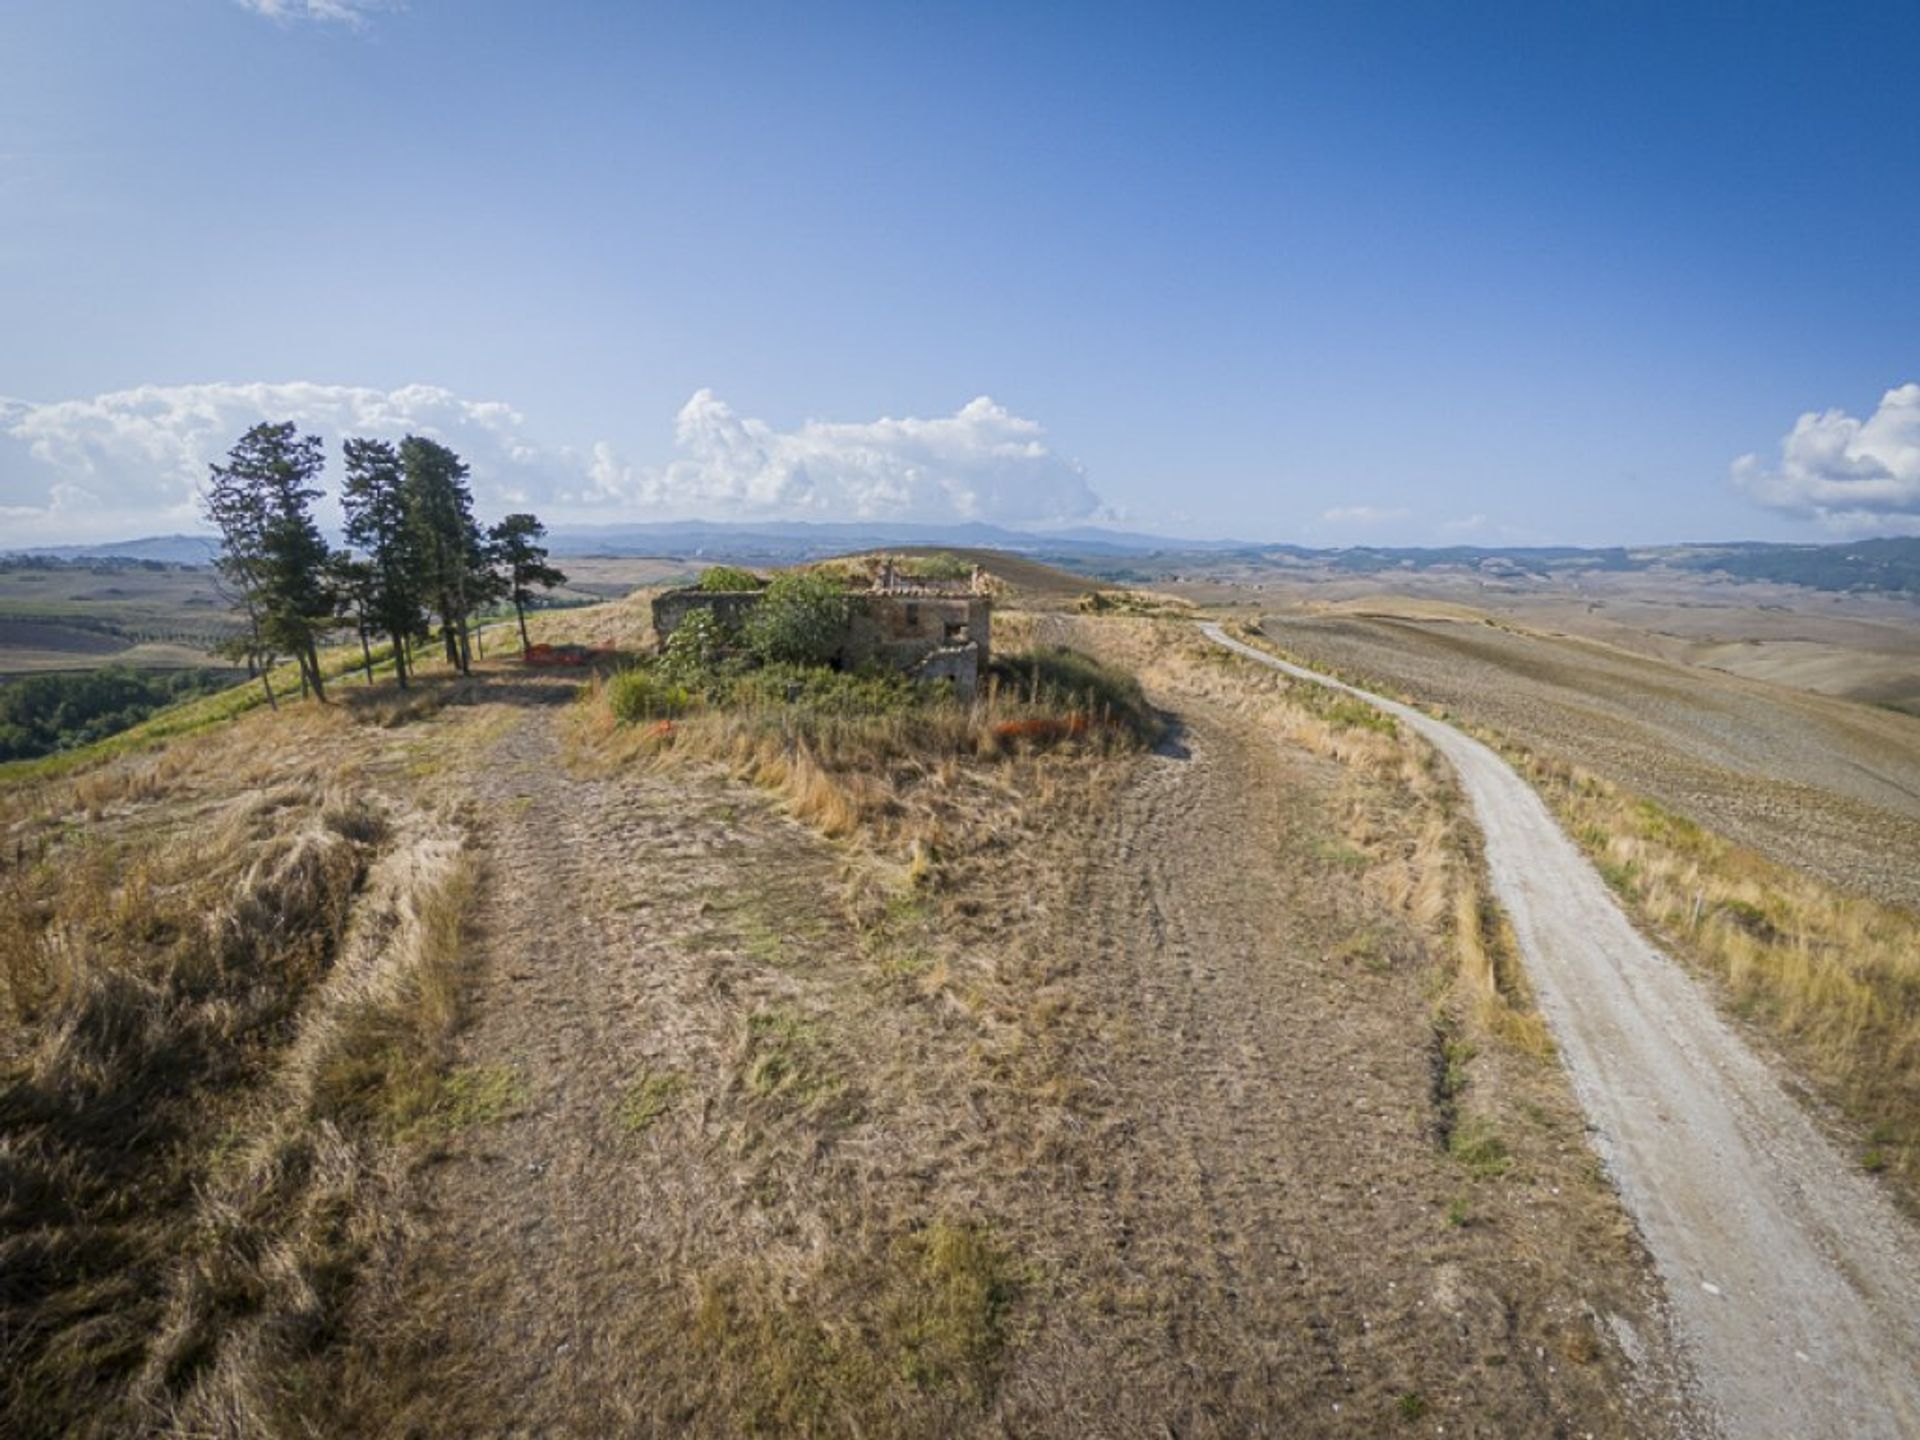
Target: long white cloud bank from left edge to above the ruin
x=133, y=462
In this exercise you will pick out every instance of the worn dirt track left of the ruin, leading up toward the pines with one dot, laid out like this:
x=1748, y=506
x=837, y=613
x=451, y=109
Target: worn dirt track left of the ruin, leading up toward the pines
x=552, y=1237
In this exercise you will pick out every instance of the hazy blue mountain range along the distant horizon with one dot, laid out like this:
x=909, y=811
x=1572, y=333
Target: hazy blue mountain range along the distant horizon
x=1861, y=565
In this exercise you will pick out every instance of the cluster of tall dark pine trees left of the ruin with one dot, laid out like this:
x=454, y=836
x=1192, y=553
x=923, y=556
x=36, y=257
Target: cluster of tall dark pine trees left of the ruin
x=416, y=556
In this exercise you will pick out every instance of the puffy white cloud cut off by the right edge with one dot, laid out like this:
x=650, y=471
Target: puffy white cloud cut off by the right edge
x=1852, y=475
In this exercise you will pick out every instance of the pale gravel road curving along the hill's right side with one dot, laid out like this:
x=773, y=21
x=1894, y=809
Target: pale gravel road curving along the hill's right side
x=1794, y=1282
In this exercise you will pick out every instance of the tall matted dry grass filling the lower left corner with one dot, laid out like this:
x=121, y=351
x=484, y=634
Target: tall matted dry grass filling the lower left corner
x=191, y=944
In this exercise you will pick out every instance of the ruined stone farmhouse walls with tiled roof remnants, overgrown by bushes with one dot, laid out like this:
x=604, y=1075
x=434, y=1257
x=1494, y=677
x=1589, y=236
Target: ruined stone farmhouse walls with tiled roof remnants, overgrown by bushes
x=926, y=629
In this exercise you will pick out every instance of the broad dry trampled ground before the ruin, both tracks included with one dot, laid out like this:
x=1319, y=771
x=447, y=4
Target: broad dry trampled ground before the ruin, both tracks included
x=1166, y=1055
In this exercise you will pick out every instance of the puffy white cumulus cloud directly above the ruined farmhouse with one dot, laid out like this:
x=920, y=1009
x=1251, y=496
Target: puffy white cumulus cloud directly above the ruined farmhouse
x=978, y=464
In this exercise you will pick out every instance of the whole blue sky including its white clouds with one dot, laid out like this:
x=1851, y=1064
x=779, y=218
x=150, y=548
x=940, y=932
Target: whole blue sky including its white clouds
x=1341, y=274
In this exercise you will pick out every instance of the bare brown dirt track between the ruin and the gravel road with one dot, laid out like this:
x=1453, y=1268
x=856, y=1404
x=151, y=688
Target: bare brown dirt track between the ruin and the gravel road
x=1268, y=1178
